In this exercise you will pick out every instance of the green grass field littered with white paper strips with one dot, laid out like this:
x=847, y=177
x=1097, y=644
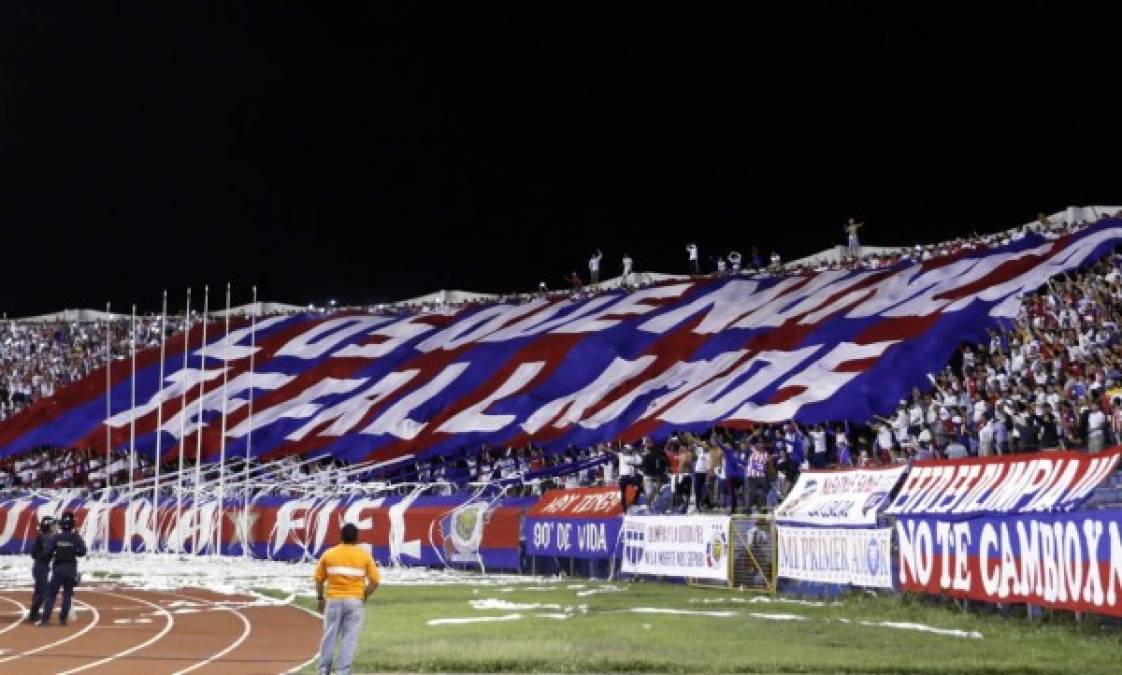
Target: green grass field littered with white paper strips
x=602, y=634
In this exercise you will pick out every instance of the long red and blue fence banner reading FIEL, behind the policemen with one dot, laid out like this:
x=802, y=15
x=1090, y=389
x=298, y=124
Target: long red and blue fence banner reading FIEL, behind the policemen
x=411, y=531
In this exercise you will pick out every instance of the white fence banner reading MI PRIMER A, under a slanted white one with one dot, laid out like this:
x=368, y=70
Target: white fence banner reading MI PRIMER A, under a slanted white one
x=859, y=557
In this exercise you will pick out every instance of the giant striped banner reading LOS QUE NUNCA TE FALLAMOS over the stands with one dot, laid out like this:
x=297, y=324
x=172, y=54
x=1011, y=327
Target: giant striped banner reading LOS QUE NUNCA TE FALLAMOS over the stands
x=678, y=356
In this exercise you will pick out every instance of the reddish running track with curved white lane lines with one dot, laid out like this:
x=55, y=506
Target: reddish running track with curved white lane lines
x=127, y=632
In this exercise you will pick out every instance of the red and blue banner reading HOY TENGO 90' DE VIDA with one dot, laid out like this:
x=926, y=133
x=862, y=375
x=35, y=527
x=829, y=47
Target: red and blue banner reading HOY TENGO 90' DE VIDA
x=578, y=523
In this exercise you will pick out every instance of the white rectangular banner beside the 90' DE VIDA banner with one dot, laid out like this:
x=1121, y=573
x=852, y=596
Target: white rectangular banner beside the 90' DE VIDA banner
x=691, y=547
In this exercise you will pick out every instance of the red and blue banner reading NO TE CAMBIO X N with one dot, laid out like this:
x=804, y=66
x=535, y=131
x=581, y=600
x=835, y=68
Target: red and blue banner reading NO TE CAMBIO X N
x=1060, y=561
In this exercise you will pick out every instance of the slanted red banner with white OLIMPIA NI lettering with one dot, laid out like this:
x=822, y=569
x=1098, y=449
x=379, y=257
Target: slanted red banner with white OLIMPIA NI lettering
x=1037, y=484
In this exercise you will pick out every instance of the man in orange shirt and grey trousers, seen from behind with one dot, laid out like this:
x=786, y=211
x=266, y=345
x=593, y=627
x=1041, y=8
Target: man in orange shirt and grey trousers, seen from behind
x=351, y=577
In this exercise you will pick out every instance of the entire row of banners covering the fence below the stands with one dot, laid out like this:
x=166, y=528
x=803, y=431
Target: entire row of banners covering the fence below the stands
x=1043, y=530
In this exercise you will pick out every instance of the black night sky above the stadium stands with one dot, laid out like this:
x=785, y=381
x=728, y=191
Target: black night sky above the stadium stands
x=371, y=153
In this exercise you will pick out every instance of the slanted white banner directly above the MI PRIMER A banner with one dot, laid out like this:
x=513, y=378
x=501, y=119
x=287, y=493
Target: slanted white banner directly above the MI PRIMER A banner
x=849, y=497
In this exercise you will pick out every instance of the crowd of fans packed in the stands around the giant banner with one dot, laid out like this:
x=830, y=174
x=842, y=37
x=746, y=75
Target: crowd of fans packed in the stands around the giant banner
x=1050, y=380
